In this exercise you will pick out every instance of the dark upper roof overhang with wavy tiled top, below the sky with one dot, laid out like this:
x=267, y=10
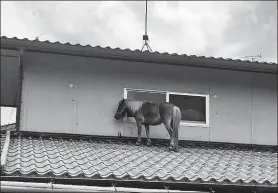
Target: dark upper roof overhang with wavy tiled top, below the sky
x=156, y=56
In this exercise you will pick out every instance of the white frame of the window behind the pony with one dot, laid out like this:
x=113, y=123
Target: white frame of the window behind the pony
x=167, y=93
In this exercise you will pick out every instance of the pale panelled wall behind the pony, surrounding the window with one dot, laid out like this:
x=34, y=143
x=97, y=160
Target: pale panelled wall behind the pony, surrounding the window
x=243, y=112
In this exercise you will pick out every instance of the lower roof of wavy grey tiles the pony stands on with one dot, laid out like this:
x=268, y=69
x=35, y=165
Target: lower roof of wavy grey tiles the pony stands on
x=102, y=159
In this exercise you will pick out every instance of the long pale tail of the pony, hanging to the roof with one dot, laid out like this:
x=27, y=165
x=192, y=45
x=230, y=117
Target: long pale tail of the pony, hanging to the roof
x=175, y=126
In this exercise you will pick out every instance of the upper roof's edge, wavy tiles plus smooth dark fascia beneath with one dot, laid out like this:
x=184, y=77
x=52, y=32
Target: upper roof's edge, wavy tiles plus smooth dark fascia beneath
x=136, y=55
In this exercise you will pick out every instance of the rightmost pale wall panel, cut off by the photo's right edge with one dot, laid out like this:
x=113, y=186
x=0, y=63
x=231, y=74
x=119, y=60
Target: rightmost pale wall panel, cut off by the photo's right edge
x=264, y=105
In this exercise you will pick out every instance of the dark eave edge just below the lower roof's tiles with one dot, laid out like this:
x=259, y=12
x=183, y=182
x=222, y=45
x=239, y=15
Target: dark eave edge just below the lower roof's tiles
x=184, y=186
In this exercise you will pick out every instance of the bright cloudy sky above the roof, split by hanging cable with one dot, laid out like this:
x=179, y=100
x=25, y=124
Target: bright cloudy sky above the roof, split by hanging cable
x=228, y=29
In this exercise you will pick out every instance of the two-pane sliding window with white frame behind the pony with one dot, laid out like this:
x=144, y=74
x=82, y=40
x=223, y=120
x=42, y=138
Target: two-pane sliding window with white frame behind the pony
x=194, y=107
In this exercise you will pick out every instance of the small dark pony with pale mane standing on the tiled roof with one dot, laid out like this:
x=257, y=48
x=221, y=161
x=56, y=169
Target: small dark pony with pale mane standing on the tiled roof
x=149, y=113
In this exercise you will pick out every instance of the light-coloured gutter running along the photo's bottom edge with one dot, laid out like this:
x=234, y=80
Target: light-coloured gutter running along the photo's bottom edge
x=8, y=186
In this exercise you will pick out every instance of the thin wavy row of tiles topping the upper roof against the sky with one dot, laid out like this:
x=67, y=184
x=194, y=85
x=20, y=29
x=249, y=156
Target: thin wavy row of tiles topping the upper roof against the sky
x=138, y=51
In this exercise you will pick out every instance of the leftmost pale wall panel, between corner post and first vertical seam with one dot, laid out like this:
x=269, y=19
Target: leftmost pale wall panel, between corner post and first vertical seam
x=48, y=100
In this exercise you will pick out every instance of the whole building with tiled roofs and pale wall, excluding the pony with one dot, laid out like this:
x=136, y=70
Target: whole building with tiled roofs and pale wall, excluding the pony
x=66, y=97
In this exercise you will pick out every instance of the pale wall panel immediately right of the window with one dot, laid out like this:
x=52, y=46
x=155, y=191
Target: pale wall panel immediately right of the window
x=230, y=113
